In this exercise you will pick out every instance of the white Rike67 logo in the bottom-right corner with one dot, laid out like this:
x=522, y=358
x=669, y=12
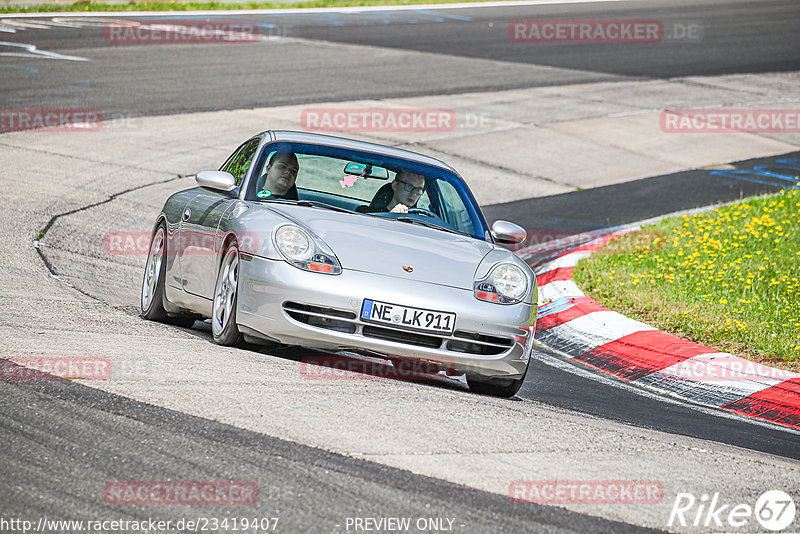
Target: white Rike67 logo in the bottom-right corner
x=774, y=510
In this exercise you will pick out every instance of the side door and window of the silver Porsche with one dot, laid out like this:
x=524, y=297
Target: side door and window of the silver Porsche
x=200, y=242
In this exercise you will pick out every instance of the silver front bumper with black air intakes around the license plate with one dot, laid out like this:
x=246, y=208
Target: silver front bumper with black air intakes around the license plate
x=288, y=305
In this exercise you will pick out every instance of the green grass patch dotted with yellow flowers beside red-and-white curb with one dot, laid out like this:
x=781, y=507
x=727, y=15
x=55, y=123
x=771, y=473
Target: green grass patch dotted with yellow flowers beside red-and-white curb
x=728, y=279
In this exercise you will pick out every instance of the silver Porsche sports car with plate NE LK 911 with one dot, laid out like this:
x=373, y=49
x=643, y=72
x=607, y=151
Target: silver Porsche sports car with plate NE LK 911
x=341, y=245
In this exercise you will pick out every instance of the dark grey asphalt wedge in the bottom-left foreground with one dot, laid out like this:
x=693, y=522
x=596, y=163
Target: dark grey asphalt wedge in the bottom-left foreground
x=286, y=473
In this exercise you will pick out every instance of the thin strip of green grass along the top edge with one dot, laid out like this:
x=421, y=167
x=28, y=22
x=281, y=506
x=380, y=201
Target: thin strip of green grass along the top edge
x=179, y=5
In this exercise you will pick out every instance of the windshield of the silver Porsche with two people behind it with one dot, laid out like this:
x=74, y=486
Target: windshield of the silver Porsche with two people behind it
x=366, y=183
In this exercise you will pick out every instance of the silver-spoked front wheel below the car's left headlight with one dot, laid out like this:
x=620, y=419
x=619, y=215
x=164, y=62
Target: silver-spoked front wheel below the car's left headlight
x=223, y=313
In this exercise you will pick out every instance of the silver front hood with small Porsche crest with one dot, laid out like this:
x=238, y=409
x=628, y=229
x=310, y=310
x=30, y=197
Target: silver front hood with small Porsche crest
x=386, y=246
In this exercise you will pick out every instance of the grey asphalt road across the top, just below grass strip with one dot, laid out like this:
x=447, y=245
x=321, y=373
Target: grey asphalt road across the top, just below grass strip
x=738, y=36
